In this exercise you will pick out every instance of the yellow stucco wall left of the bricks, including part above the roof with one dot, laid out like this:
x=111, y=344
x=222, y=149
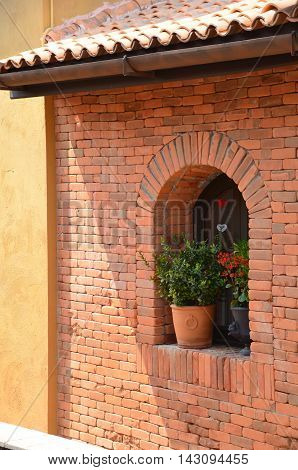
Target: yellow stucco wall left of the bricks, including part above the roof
x=27, y=227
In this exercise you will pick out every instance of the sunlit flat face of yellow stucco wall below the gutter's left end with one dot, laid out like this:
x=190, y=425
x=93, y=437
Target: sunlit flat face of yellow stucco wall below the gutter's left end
x=23, y=263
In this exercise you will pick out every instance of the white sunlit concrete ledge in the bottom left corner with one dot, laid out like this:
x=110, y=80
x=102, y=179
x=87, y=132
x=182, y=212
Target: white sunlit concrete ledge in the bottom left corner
x=14, y=437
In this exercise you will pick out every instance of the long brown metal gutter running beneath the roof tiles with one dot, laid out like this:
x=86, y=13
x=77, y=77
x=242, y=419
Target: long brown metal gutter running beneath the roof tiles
x=138, y=65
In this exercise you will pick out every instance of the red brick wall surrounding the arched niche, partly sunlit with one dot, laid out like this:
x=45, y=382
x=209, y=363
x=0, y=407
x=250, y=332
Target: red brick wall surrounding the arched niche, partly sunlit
x=124, y=159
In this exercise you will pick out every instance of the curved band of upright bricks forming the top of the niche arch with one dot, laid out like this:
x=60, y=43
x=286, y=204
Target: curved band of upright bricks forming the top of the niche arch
x=204, y=149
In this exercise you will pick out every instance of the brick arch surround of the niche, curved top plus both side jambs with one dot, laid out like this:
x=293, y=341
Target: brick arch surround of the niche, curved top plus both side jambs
x=202, y=154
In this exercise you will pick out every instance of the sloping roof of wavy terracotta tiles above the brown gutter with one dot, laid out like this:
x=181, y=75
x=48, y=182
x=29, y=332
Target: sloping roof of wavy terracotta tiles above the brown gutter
x=135, y=24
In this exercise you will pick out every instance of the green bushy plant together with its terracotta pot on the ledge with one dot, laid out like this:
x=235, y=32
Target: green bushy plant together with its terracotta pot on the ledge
x=188, y=277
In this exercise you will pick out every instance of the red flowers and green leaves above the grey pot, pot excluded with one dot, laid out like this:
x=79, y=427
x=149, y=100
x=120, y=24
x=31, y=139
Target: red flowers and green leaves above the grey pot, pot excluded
x=235, y=272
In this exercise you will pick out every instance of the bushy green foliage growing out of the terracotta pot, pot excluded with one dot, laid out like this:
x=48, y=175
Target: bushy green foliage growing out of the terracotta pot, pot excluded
x=188, y=274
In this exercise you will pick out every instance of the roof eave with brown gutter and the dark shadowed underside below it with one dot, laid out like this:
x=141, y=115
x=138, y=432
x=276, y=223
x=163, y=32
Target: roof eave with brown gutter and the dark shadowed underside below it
x=137, y=67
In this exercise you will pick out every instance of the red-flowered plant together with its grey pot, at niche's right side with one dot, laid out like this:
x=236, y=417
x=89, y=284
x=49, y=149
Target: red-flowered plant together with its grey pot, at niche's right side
x=235, y=277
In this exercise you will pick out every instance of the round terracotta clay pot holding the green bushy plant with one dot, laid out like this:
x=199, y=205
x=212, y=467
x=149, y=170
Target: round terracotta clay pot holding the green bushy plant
x=193, y=326
